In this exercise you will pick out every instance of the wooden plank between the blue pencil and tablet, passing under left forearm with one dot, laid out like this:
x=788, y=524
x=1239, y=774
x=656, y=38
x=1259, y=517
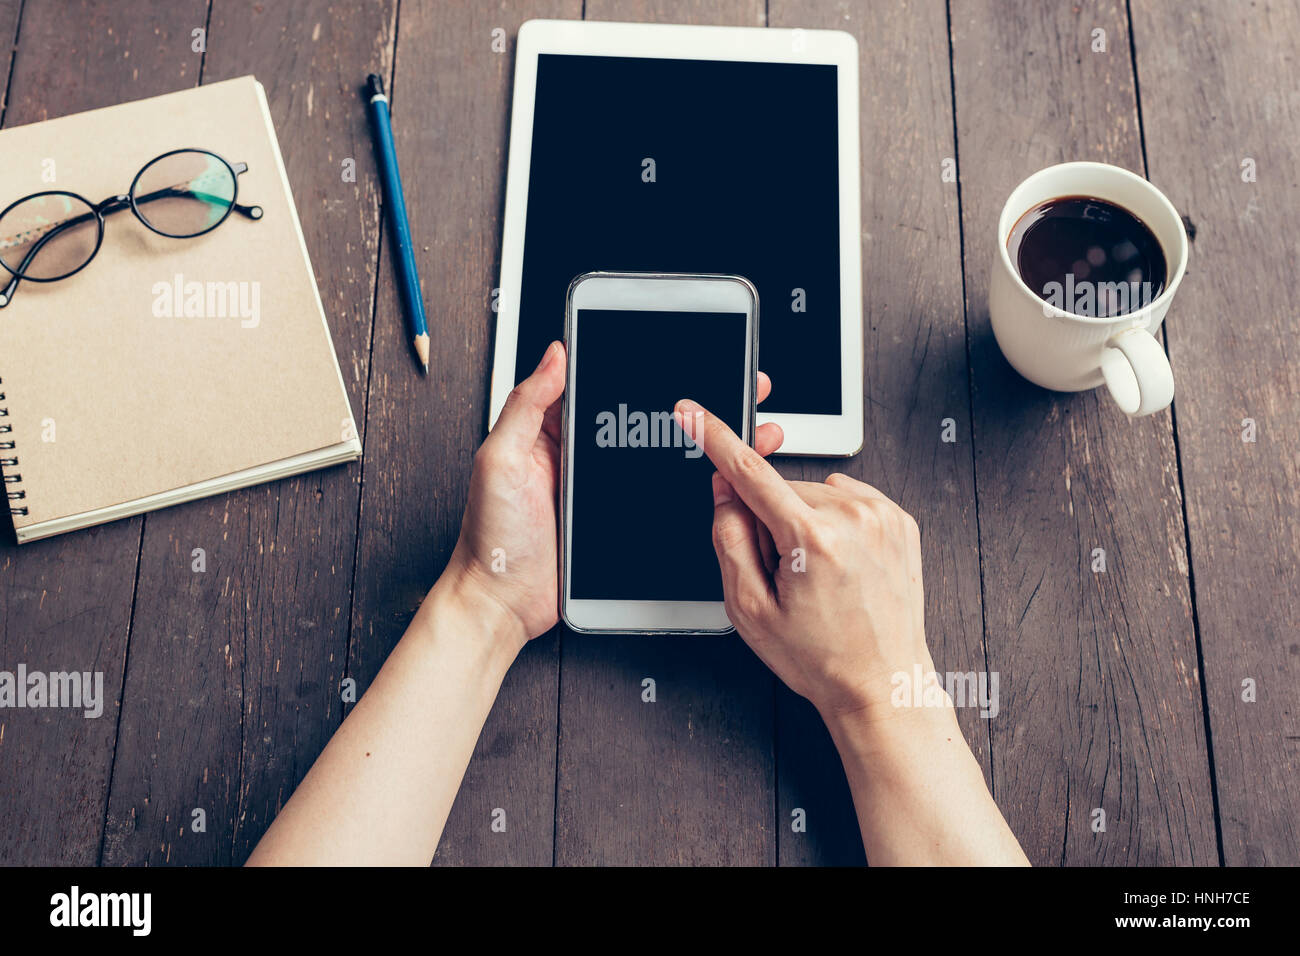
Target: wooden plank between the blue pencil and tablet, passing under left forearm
x=450, y=113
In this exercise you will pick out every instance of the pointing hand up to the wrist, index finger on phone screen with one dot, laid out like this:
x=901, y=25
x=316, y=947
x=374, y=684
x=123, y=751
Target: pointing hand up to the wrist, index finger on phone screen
x=822, y=581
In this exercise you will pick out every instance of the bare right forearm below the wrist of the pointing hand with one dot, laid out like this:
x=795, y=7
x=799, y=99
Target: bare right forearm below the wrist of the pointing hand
x=920, y=793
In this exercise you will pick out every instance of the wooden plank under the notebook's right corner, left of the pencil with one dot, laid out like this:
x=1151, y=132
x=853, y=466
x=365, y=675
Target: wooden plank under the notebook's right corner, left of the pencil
x=235, y=680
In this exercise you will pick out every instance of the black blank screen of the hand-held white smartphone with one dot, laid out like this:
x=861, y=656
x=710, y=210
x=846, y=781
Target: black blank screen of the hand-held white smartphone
x=642, y=504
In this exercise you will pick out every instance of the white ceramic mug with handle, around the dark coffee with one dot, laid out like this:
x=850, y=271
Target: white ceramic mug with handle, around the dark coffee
x=1068, y=352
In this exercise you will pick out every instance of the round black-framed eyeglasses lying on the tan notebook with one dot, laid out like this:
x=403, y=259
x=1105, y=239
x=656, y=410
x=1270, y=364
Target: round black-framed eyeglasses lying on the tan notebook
x=181, y=194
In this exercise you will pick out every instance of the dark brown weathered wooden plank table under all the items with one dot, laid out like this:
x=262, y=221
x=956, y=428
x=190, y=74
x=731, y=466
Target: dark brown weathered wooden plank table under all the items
x=1121, y=691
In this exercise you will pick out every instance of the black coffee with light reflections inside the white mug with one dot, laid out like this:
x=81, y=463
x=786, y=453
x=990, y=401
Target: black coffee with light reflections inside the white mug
x=1087, y=257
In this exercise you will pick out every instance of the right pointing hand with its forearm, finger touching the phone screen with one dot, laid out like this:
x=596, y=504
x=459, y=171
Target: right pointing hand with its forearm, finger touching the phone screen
x=824, y=582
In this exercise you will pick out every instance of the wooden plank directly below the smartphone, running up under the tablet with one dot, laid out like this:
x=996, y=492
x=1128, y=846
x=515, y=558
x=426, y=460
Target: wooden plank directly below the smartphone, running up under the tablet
x=688, y=778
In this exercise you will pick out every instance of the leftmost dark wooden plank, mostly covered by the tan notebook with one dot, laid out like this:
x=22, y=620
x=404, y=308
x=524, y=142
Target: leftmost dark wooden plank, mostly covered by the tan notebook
x=66, y=604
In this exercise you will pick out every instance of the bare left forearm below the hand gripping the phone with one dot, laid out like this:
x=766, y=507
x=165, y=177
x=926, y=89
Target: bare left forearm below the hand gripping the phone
x=384, y=786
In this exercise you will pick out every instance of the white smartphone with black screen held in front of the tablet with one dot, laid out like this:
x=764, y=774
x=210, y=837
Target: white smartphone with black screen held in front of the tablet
x=636, y=495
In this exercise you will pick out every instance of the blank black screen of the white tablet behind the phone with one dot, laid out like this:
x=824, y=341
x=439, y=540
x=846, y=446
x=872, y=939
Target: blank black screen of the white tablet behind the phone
x=746, y=183
